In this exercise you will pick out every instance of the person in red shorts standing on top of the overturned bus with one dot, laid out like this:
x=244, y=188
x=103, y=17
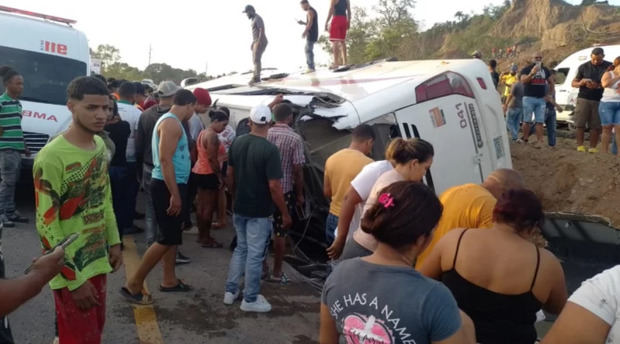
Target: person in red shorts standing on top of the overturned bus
x=340, y=16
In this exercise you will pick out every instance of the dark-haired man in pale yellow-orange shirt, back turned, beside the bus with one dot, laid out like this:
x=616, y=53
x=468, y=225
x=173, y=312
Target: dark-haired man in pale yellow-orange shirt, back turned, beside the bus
x=340, y=169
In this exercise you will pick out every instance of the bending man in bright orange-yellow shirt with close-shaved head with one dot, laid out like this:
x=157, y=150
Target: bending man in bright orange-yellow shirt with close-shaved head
x=471, y=205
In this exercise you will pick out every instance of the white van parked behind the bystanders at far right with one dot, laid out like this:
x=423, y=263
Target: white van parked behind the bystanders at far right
x=565, y=93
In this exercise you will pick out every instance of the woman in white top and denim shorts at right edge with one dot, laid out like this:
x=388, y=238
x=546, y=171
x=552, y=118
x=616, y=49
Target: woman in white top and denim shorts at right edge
x=609, y=107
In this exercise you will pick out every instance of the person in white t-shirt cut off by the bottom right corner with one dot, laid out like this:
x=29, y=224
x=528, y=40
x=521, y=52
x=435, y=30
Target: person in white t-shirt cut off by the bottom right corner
x=592, y=313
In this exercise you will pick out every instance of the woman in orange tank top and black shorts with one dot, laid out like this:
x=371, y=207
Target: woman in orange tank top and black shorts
x=208, y=176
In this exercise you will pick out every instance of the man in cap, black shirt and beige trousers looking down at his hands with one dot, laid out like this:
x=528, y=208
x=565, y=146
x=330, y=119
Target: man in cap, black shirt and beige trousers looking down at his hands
x=588, y=80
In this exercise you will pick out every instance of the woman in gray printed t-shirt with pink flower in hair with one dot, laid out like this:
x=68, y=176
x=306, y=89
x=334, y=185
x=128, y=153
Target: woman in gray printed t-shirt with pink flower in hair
x=381, y=298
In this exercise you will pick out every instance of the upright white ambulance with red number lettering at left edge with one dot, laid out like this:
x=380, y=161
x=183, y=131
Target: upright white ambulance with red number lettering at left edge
x=49, y=53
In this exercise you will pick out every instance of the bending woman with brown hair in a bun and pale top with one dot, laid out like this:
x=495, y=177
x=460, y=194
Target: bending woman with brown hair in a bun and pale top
x=411, y=160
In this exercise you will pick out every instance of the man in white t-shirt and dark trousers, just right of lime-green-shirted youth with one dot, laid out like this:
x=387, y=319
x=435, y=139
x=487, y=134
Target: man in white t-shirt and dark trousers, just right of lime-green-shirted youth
x=131, y=114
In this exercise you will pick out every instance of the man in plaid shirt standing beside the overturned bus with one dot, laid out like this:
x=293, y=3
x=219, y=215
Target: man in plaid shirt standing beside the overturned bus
x=291, y=149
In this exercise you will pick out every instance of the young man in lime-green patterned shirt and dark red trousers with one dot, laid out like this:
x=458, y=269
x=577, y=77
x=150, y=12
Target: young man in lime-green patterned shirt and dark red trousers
x=73, y=195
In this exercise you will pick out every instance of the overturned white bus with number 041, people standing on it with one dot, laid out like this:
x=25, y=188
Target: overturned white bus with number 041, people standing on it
x=450, y=103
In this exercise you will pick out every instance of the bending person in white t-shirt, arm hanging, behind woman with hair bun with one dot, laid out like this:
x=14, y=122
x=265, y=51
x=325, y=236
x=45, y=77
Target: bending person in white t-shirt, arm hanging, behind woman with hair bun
x=354, y=201
